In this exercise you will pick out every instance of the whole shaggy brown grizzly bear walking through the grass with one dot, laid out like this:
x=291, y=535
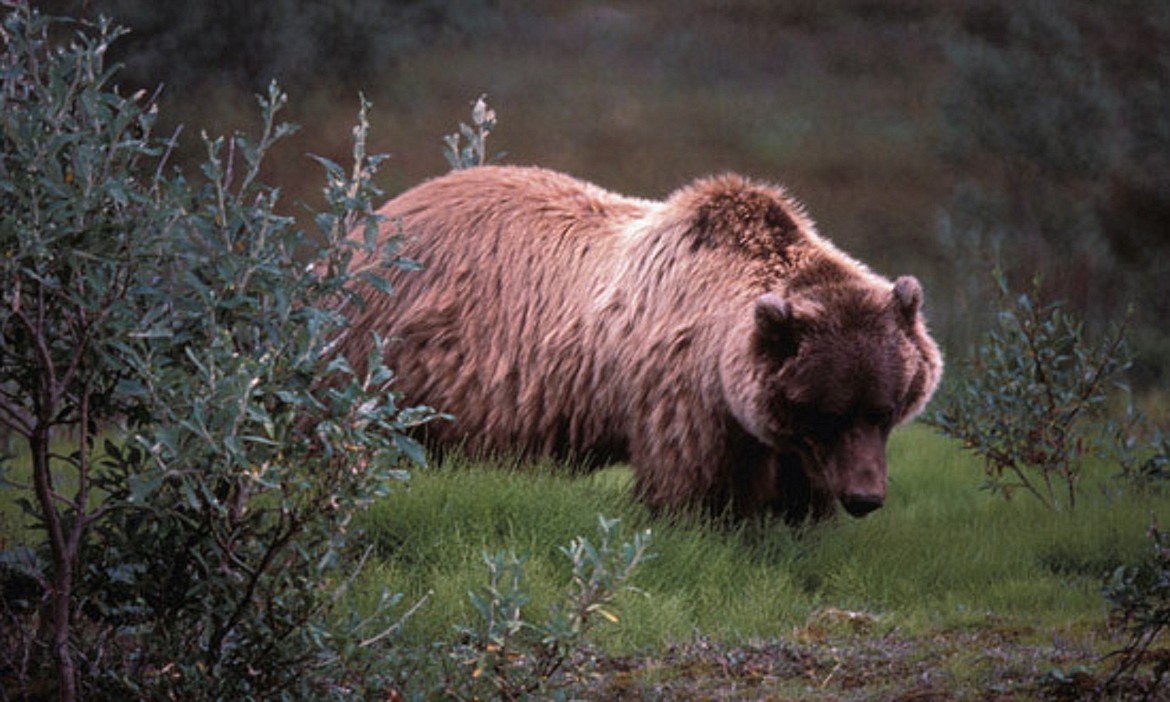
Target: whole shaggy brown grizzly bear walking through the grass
x=734, y=357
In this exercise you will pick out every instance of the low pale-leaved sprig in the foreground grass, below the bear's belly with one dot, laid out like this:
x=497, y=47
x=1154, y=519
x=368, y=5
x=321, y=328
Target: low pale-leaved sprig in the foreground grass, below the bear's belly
x=511, y=657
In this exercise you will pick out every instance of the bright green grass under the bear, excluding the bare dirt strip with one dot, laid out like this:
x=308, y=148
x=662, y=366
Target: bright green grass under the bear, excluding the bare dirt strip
x=942, y=556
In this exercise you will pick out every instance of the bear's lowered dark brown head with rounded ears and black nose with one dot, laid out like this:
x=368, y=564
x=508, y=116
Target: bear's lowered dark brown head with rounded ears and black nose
x=822, y=376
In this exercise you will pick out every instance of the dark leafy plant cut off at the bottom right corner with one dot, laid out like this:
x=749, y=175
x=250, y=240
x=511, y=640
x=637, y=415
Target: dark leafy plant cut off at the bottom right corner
x=1140, y=601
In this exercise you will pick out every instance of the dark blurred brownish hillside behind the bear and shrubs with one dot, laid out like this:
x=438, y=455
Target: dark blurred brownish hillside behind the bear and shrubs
x=931, y=137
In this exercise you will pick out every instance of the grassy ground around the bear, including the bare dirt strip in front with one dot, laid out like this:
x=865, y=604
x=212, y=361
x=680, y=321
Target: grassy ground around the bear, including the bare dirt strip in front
x=947, y=591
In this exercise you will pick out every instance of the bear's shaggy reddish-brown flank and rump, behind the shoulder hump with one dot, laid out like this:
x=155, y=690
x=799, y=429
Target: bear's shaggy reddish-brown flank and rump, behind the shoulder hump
x=497, y=328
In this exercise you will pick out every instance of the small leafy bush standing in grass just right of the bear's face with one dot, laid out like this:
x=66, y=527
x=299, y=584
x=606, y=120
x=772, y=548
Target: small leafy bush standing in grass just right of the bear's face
x=1033, y=398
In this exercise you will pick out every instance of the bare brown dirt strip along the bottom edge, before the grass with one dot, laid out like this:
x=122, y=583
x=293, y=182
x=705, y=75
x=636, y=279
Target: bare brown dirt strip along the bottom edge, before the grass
x=986, y=665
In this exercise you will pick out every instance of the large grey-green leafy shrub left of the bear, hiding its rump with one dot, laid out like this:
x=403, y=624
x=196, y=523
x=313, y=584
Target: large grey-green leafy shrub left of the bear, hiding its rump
x=197, y=452
